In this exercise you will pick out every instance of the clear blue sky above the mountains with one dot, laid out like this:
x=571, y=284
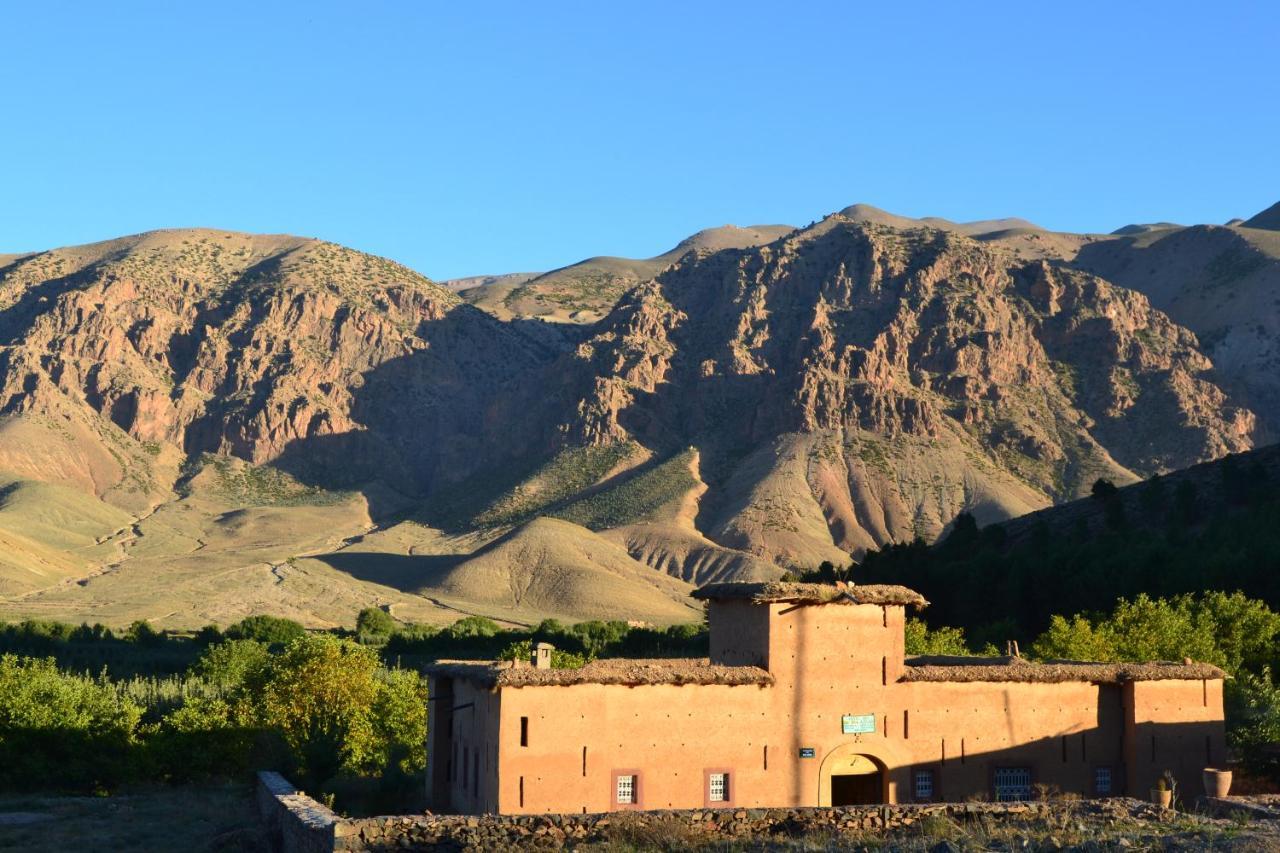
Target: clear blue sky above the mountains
x=482, y=138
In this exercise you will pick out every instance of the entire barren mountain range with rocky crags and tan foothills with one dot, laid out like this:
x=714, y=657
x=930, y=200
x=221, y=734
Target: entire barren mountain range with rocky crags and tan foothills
x=196, y=426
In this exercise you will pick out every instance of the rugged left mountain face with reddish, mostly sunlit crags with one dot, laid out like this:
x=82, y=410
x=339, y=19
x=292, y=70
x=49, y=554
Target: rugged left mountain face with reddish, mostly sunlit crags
x=284, y=350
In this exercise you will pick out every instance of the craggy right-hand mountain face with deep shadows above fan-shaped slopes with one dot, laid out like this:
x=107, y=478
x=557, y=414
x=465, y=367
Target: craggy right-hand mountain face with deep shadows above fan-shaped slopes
x=854, y=385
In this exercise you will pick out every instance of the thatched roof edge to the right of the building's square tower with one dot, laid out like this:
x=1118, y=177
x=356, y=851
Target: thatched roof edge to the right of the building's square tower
x=1017, y=669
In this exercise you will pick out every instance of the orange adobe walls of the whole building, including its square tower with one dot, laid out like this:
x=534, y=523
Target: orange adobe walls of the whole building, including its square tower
x=783, y=743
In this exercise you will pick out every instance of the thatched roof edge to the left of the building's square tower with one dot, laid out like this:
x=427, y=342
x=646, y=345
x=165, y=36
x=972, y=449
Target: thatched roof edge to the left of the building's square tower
x=628, y=672
